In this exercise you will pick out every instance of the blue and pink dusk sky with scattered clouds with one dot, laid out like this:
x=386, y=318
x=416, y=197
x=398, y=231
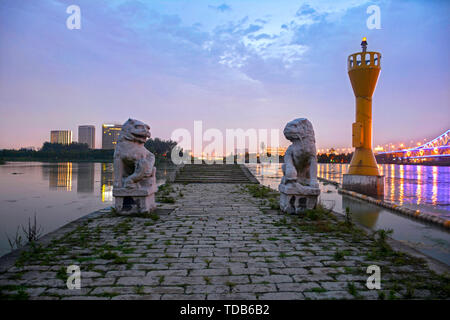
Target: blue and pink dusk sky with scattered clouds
x=232, y=64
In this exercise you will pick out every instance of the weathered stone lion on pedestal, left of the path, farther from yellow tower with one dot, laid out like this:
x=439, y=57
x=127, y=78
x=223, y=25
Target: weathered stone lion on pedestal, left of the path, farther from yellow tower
x=134, y=170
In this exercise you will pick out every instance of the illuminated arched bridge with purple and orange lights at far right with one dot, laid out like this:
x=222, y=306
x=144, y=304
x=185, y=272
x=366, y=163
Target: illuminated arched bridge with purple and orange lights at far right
x=436, y=151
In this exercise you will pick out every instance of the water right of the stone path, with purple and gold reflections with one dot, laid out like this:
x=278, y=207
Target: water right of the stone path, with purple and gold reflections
x=430, y=189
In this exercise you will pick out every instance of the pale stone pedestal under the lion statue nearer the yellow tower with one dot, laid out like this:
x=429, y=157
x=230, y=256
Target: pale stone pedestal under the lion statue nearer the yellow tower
x=296, y=198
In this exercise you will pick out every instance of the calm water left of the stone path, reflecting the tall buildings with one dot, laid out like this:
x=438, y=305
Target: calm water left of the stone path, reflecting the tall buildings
x=56, y=192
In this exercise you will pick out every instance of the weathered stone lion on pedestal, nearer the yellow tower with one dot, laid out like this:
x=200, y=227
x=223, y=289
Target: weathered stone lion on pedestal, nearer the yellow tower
x=299, y=187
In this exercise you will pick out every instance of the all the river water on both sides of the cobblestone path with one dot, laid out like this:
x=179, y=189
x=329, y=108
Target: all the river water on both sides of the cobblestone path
x=58, y=193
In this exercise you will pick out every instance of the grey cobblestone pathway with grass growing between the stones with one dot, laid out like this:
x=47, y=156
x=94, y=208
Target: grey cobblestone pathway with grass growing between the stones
x=217, y=243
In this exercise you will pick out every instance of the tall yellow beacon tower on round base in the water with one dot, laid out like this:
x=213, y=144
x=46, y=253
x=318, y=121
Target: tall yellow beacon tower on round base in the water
x=363, y=175
